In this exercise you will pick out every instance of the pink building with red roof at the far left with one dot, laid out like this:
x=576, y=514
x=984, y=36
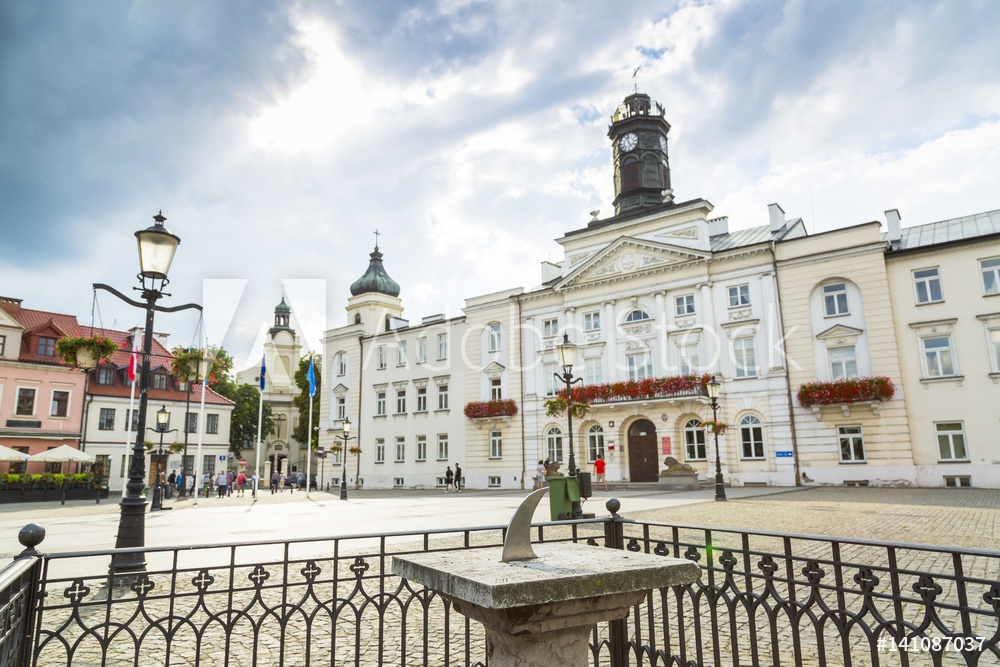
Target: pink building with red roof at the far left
x=41, y=399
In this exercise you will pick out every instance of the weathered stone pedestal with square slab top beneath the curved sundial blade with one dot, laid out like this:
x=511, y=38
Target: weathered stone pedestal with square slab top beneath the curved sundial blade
x=540, y=612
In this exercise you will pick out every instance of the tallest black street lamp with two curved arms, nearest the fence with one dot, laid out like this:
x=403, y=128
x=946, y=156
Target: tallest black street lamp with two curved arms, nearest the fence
x=156, y=252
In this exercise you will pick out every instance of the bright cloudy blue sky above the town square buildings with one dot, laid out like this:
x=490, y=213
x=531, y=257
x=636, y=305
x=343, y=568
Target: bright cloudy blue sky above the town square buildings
x=278, y=136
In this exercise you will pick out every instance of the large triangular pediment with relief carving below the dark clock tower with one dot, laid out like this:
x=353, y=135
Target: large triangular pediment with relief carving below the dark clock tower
x=626, y=256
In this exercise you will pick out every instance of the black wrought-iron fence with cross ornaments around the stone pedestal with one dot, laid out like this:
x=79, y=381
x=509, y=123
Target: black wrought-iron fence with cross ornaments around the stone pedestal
x=763, y=599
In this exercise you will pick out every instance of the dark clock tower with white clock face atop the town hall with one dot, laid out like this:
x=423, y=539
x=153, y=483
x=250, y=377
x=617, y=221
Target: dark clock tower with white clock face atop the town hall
x=638, y=136
